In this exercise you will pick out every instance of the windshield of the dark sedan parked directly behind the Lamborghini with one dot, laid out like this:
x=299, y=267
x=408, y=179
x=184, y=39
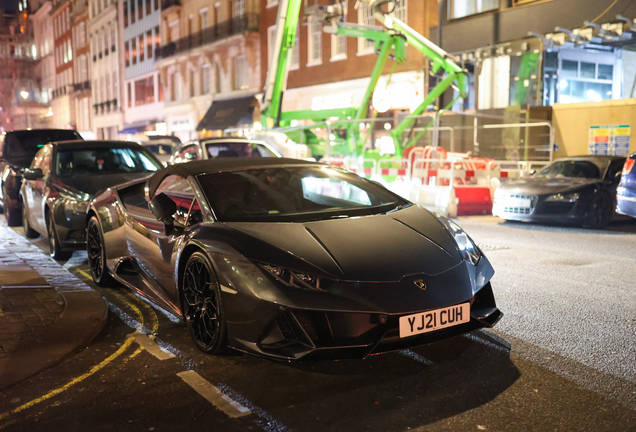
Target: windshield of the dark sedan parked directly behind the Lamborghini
x=104, y=160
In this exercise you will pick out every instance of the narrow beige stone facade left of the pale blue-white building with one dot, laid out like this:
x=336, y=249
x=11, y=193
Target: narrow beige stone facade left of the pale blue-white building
x=107, y=110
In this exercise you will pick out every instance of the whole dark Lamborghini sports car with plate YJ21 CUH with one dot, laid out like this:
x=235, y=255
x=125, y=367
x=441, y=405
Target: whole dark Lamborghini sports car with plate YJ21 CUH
x=290, y=259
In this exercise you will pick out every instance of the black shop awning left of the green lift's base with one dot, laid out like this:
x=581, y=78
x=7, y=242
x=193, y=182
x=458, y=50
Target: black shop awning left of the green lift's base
x=228, y=113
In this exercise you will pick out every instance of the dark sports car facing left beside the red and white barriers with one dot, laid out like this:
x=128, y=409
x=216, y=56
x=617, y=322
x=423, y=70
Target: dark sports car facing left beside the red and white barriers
x=576, y=190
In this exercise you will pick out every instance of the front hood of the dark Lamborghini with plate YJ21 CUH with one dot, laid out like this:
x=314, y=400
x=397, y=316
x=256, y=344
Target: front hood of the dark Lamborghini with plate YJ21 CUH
x=383, y=247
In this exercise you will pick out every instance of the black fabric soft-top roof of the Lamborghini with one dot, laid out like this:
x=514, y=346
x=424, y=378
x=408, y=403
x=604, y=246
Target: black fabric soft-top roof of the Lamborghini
x=217, y=165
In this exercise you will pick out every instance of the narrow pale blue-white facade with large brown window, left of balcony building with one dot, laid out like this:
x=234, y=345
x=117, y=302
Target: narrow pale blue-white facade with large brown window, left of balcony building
x=143, y=94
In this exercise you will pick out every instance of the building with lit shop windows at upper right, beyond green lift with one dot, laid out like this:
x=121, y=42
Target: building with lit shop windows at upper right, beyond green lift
x=528, y=52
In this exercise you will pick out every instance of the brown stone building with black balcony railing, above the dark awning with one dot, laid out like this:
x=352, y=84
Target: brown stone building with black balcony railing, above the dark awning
x=210, y=52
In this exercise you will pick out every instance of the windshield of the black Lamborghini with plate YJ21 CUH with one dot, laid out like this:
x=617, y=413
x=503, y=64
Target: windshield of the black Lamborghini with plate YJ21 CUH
x=294, y=194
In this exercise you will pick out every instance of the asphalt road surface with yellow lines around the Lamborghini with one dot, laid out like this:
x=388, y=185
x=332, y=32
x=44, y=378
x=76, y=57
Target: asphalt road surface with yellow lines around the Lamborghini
x=562, y=358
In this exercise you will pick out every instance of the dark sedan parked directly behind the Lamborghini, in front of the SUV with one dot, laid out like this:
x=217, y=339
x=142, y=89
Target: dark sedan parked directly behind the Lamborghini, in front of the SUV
x=65, y=176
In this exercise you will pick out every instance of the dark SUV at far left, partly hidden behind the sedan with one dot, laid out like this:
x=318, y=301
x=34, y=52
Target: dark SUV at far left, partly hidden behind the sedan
x=17, y=149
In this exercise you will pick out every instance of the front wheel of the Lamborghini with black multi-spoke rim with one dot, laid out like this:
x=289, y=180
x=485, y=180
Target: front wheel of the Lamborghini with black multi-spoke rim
x=202, y=305
